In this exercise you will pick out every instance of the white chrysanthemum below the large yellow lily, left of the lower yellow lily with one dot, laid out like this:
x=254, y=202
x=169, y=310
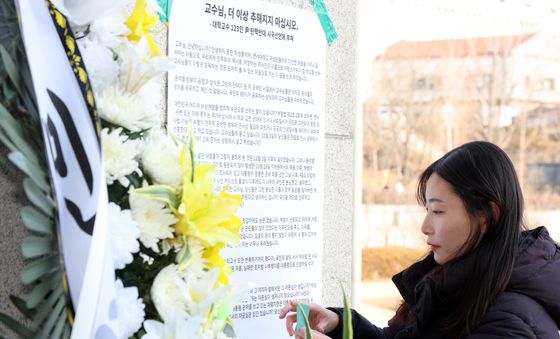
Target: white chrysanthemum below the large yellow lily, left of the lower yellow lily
x=167, y=293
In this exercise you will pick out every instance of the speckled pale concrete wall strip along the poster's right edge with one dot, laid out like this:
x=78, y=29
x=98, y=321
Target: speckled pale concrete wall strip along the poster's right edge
x=339, y=153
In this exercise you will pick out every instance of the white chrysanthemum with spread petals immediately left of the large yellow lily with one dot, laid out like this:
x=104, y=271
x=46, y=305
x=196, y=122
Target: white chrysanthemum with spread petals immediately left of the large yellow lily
x=154, y=220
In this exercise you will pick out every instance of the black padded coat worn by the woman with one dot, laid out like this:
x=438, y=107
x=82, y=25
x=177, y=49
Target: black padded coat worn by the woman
x=528, y=308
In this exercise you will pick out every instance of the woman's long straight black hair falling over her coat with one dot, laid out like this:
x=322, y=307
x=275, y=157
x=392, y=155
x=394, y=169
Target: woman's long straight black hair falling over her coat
x=483, y=176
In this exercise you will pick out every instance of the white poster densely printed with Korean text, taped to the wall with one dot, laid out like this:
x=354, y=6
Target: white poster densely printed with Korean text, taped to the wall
x=249, y=78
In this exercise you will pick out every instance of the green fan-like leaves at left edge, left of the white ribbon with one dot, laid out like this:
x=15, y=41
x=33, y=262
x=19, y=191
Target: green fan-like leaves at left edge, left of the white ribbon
x=20, y=132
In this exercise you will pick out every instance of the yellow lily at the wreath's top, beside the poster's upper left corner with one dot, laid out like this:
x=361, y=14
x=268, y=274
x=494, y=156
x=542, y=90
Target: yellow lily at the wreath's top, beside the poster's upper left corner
x=140, y=23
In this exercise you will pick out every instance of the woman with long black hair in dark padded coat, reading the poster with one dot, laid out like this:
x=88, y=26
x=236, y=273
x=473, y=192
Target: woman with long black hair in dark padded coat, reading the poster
x=486, y=276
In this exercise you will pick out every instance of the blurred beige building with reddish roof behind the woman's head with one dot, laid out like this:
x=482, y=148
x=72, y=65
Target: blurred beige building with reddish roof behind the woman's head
x=427, y=97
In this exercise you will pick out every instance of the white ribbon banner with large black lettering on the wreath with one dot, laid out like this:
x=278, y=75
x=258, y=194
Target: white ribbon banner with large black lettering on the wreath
x=74, y=157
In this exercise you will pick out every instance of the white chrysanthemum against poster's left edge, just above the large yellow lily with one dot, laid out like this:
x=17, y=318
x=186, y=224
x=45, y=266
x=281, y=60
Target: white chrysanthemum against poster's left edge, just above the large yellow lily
x=161, y=159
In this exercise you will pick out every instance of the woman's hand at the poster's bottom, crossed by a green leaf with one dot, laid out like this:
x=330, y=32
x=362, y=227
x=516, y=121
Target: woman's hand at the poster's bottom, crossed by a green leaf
x=320, y=319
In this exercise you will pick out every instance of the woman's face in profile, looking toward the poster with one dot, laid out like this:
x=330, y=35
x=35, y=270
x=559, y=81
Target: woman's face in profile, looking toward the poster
x=447, y=224
